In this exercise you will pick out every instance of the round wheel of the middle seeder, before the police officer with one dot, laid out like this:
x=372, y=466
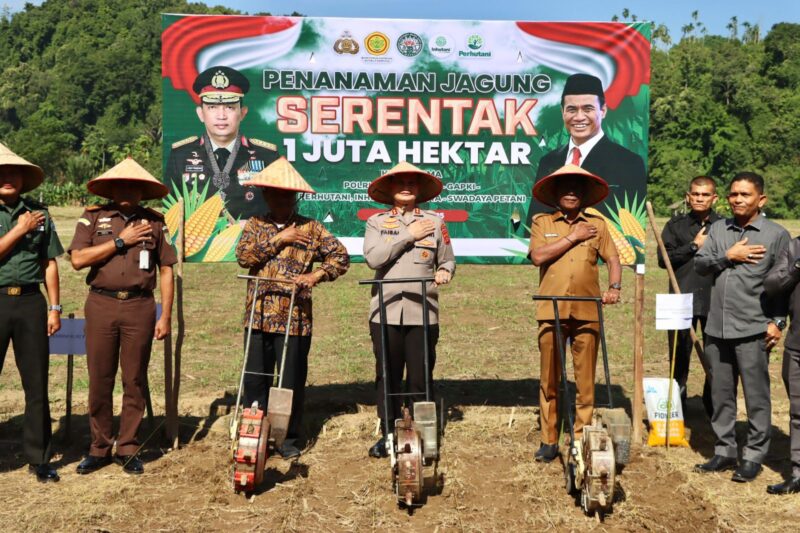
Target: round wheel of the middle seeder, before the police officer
x=408, y=474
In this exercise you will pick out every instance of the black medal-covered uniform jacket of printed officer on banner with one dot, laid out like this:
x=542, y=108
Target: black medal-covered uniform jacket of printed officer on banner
x=189, y=166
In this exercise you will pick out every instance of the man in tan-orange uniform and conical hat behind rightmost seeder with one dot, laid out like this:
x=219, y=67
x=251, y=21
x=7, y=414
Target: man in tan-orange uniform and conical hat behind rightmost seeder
x=566, y=244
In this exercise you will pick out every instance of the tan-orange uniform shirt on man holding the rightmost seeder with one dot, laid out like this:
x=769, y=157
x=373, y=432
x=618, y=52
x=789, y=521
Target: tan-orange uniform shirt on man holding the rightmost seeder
x=575, y=273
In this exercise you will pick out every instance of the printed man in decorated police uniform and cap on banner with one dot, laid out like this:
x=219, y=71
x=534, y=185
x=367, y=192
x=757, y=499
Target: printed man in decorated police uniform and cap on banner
x=222, y=159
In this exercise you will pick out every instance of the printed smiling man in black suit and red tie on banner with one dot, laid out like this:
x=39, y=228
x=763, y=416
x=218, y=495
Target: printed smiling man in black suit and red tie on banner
x=583, y=108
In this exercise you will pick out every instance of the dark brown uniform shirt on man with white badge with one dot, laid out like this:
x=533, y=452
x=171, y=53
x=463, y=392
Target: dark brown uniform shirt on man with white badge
x=121, y=272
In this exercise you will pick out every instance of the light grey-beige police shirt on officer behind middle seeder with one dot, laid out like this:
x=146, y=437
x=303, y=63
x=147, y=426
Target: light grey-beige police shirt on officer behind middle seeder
x=391, y=251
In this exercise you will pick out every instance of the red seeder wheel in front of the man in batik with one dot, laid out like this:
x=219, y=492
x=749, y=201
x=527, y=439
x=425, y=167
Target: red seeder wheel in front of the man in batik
x=250, y=452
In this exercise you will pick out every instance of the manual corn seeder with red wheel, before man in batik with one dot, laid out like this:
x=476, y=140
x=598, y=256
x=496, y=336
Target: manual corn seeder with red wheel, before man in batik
x=253, y=431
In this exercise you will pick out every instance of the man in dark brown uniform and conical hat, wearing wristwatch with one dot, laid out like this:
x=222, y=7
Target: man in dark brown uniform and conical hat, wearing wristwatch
x=124, y=245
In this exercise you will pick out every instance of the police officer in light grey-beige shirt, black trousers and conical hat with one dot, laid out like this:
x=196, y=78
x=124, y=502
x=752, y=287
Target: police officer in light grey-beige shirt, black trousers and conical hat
x=405, y=242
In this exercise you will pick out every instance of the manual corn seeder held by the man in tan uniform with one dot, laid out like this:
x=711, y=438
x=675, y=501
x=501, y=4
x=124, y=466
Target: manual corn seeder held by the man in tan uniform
x=591, y=463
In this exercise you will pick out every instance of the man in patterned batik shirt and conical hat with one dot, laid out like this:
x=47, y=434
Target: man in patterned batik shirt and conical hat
x=284, y=244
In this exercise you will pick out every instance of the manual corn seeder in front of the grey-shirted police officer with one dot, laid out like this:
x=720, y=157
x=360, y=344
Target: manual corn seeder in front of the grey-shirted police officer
x=415, y=441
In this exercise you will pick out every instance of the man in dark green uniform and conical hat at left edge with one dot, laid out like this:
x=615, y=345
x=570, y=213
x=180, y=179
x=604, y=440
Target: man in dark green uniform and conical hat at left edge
x=28, y=250
